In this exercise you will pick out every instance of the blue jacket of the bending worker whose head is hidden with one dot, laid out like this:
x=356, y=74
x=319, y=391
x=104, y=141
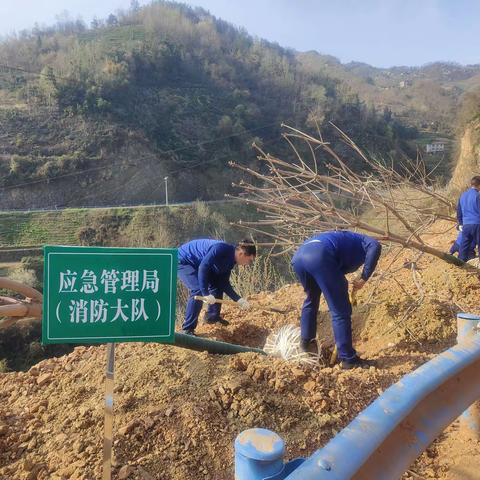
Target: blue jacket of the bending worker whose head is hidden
x=351, y=250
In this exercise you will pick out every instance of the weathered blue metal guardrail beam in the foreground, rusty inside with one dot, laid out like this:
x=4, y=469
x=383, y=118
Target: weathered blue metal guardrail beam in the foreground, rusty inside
x=386, y=438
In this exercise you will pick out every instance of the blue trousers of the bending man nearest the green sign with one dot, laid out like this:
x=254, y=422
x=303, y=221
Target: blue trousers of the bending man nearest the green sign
x=188, y=275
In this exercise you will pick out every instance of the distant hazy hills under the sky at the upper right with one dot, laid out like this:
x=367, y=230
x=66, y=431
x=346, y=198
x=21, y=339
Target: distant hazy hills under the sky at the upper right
x=426, y=97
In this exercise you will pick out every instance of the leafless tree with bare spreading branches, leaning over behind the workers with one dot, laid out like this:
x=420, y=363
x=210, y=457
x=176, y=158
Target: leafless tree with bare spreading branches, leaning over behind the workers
x=319, y=191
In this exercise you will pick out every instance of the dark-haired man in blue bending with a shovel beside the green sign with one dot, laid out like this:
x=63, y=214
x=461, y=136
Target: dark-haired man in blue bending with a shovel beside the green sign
x=204, y=267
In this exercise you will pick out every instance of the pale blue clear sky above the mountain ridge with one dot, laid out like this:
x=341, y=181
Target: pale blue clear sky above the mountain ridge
x=382, y=33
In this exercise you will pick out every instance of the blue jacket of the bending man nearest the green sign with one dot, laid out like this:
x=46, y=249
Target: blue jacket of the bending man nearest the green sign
x=213, y=260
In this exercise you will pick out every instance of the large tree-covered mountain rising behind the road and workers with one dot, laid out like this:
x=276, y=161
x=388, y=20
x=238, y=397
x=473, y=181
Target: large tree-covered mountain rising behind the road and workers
x=163, y=90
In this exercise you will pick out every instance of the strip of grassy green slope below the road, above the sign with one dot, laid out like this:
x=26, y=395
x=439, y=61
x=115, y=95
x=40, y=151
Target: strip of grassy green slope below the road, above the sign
x=125, y=227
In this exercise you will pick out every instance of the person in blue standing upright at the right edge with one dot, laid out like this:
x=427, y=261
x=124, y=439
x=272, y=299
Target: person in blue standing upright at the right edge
x=468, y=216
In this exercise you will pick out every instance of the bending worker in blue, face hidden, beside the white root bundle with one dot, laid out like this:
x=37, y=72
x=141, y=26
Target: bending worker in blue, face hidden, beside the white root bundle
x=321, y=264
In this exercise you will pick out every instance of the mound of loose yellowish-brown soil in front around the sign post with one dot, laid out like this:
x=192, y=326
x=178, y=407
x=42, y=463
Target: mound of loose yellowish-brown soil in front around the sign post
x=177, y=412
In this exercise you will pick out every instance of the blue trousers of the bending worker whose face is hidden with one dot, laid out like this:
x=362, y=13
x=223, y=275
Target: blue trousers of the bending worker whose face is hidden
x=318, y=270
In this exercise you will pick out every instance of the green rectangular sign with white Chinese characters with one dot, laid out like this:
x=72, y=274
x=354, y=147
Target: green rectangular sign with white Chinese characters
x=98, y=294
